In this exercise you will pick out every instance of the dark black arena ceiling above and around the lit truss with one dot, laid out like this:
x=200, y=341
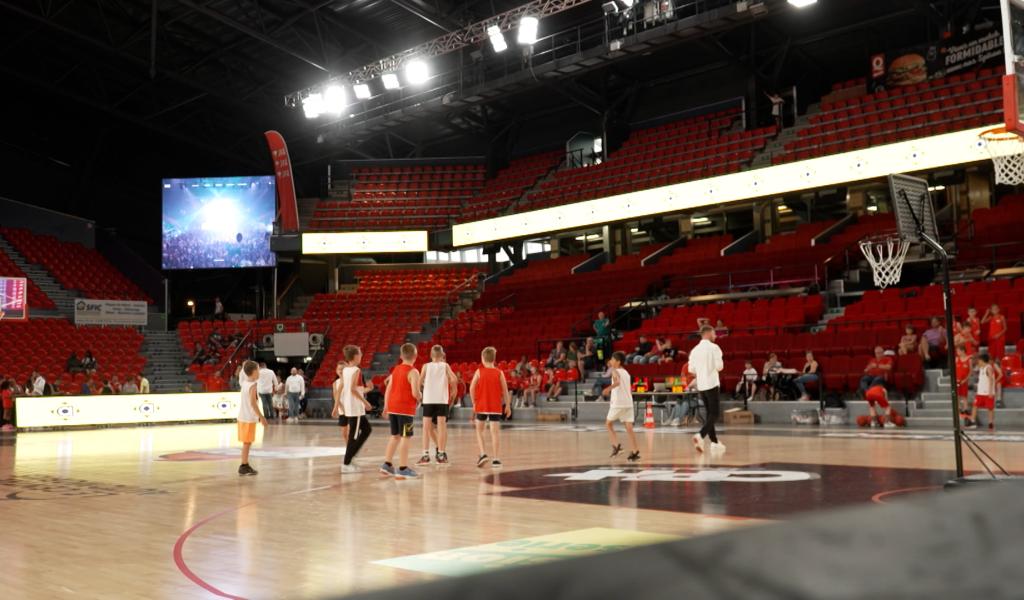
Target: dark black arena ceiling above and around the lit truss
x=104, y=98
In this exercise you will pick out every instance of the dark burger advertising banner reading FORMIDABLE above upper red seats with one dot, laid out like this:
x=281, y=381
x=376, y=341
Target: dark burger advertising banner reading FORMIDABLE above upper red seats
x=913, y=66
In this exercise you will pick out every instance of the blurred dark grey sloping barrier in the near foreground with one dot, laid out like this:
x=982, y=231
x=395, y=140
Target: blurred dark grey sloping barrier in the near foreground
x=963, y=544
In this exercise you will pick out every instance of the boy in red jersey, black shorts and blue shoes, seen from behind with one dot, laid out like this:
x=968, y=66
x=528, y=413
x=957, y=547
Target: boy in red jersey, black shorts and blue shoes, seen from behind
x=400, y=407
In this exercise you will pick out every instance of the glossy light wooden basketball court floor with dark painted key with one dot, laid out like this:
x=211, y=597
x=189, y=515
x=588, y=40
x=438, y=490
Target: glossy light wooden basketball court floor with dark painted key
x=161, y=513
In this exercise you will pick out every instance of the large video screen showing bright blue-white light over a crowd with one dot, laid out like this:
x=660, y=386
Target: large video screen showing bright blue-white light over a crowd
x=219, y=223
